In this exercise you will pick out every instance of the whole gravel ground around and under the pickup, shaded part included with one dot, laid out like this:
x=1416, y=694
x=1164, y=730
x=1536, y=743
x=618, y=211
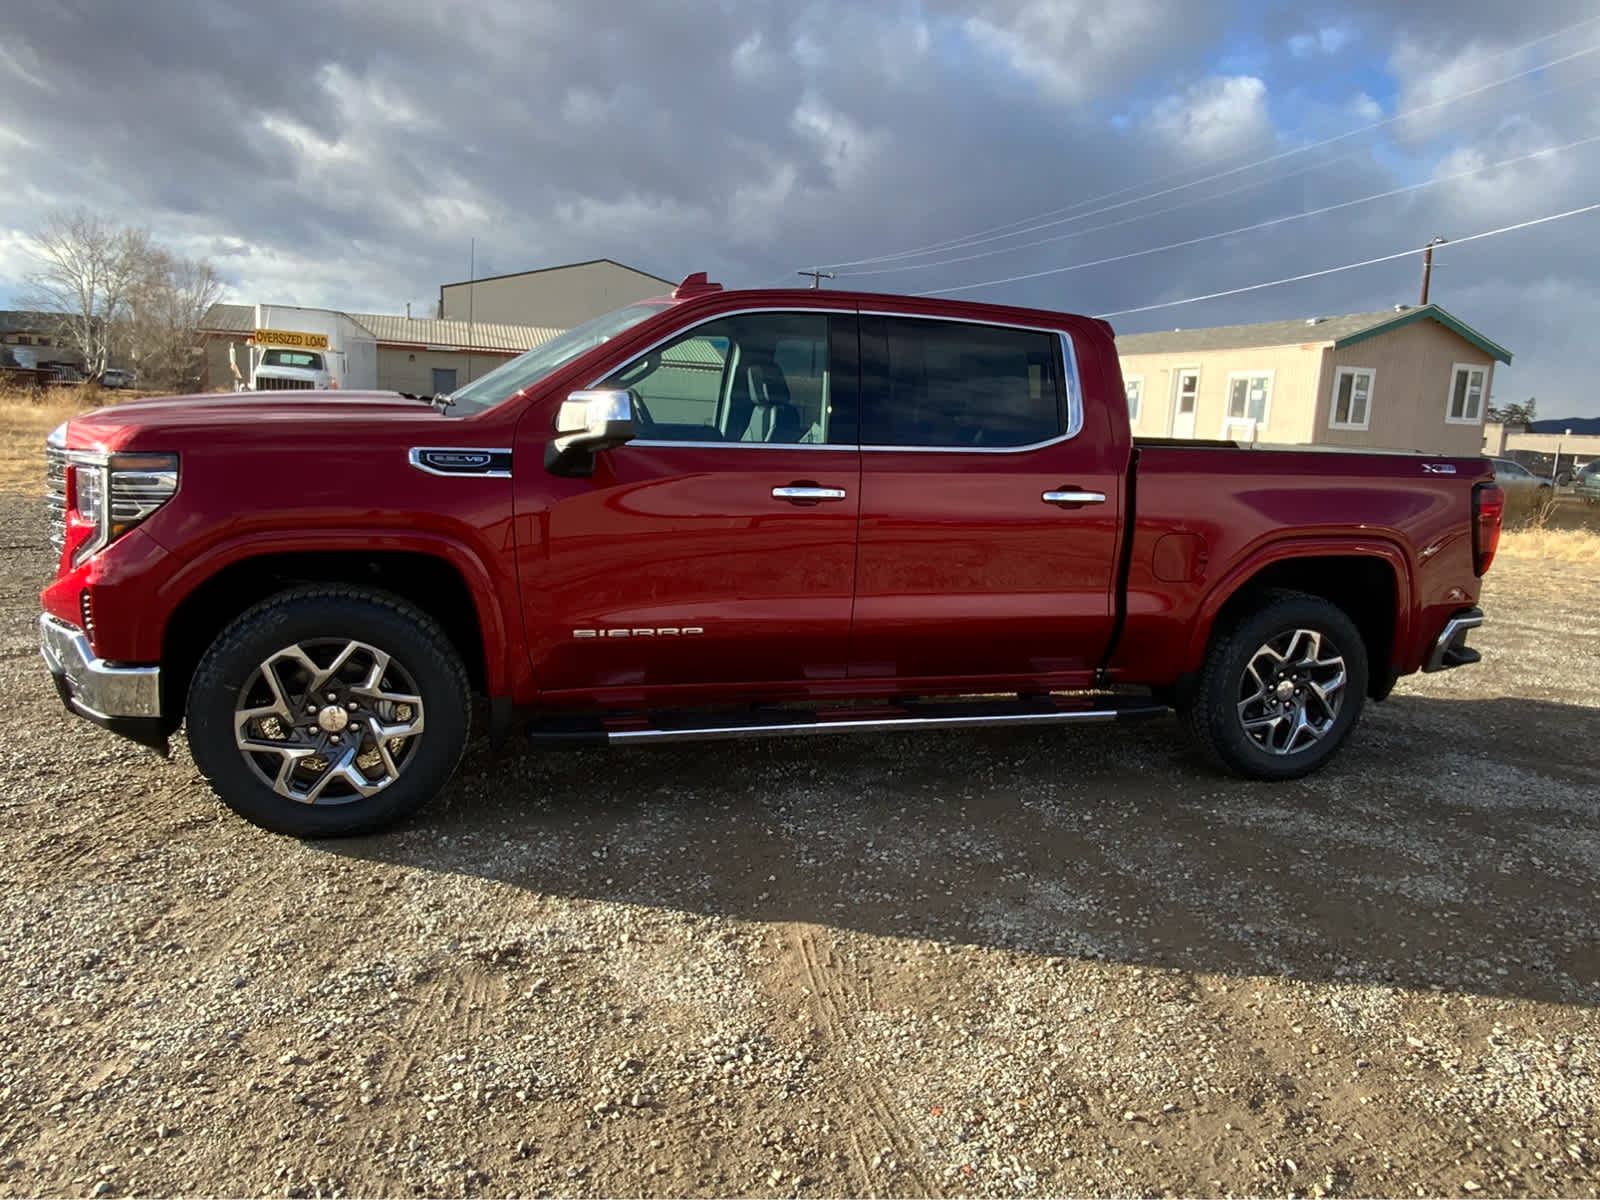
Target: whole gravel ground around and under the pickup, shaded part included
x=994, y=964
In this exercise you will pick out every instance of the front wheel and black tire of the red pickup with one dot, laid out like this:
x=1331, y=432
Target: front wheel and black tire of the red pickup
x=369, y=708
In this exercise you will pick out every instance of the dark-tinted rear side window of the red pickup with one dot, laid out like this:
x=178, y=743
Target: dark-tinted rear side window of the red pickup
x=959, y=386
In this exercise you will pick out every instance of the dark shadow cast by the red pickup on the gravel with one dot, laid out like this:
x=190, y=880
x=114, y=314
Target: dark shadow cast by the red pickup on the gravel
x=1454, y=846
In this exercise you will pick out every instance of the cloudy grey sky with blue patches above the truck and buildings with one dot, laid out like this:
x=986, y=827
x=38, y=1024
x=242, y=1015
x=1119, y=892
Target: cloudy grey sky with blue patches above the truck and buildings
x=345, y=153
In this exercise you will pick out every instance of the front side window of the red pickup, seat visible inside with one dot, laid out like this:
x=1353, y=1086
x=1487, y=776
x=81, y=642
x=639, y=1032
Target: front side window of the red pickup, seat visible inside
x=759, y=378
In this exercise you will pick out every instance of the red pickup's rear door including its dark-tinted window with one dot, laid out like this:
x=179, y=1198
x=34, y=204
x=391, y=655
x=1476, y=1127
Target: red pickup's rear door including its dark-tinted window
x=990, y=524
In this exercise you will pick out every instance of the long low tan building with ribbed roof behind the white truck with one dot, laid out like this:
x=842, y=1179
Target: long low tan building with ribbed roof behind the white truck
x=415, y=354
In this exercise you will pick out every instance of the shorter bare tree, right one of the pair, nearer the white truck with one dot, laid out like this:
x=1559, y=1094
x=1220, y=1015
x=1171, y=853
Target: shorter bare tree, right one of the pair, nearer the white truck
x=164, y=319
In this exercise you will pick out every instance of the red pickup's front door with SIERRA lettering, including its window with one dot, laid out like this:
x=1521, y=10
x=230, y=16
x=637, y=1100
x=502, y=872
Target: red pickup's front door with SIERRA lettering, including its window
x=719, y=548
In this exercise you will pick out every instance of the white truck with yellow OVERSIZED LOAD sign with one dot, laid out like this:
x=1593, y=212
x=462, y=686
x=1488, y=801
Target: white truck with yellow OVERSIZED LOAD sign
x=311, y=350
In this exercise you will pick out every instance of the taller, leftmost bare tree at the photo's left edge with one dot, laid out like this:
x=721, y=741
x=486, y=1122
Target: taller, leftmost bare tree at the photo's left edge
x=89, y=273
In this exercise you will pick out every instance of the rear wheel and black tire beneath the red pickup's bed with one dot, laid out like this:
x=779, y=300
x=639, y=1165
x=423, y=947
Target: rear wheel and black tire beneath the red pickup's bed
x=1228, y=695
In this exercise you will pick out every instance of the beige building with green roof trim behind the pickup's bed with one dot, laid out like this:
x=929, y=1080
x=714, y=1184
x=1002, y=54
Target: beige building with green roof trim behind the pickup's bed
x=1410, y=378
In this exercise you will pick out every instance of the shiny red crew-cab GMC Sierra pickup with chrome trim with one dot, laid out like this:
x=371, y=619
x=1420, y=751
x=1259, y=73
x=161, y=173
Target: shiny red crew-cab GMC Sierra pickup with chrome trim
x=732, y=514
